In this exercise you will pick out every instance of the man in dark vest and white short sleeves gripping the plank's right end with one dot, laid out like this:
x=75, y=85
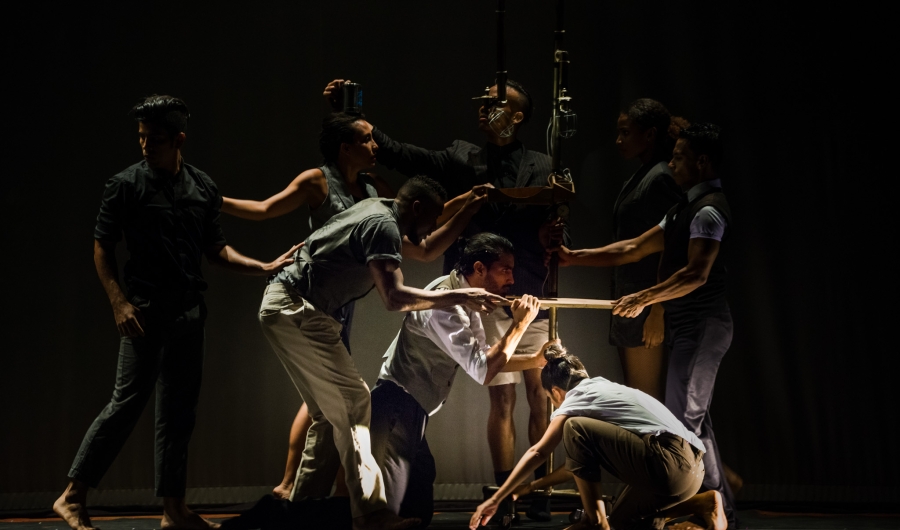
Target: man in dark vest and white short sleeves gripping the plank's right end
x=691, y=286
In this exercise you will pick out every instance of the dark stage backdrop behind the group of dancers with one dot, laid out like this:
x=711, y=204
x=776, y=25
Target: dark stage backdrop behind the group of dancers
x=805, y=397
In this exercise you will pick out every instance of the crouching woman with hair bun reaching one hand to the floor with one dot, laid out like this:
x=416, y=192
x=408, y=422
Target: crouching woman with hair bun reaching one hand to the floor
x=630, y=435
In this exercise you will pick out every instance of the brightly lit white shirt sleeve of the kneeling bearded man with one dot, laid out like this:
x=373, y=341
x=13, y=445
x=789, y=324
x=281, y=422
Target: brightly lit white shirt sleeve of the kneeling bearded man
x=452, y=330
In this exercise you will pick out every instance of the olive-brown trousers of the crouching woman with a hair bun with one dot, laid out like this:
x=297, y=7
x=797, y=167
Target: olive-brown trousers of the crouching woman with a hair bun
x=659, y=471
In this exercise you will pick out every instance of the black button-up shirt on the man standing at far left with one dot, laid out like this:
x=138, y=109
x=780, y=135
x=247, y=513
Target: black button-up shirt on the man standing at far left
x=168, y=222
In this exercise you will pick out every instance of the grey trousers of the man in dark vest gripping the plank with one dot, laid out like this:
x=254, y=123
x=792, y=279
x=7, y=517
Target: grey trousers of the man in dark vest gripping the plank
x=698, y=347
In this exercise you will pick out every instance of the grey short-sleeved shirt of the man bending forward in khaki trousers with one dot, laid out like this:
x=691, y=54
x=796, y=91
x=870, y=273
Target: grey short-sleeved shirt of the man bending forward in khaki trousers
x=329, y=271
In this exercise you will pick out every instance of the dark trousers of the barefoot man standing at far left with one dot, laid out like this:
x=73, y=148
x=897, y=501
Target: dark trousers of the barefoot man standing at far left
x=170, y=358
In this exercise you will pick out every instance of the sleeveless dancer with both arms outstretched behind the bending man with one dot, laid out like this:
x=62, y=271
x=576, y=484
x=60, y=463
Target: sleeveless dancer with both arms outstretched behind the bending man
x=348, y=150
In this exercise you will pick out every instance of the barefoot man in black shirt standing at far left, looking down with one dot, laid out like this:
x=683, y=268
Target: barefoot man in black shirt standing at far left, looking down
x=169, y=214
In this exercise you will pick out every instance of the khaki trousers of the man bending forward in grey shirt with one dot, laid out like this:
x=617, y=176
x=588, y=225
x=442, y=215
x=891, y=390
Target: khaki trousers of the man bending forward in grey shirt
x=308, y=344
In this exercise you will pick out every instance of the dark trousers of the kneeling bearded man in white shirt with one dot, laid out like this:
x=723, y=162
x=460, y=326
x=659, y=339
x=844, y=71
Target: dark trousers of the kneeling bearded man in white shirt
x=401, y=450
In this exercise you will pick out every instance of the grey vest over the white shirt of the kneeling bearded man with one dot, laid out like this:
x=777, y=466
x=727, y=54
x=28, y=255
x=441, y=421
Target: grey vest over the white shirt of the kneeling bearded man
x=420, y=366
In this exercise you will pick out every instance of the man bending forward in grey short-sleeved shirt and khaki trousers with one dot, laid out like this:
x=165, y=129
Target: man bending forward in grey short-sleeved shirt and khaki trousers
x=355, y=250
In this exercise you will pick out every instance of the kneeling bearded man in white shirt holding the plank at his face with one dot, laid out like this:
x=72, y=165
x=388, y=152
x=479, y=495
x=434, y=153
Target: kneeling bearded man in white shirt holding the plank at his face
x=421, y=363
